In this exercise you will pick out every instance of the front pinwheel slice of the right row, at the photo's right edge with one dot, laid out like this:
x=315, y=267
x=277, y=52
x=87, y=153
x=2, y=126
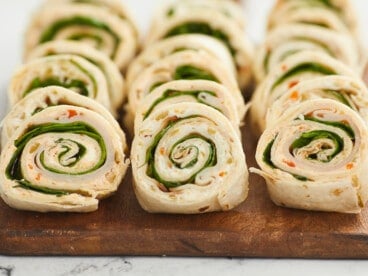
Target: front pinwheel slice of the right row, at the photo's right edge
x=315, y=158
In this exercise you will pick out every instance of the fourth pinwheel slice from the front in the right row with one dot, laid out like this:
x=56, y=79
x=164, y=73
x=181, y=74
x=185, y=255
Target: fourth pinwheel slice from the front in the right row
x=291, y=38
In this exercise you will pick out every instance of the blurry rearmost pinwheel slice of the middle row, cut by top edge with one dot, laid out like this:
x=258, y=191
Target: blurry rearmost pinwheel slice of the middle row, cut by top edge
x=230, y=9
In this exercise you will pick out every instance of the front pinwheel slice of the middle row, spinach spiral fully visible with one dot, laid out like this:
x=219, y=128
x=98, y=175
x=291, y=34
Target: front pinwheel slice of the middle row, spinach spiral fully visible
x=187, y=158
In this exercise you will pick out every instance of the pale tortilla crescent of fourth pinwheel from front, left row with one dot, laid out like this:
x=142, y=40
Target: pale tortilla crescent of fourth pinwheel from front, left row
x=112, y=74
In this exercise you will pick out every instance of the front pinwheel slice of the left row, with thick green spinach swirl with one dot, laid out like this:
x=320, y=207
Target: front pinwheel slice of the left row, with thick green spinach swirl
x=62, y=159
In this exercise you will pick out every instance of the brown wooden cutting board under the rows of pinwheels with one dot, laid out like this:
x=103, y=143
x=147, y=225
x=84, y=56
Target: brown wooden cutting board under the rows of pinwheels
x=257, y=228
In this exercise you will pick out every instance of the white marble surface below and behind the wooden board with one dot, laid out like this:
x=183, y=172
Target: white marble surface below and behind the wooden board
x=14, y=16
